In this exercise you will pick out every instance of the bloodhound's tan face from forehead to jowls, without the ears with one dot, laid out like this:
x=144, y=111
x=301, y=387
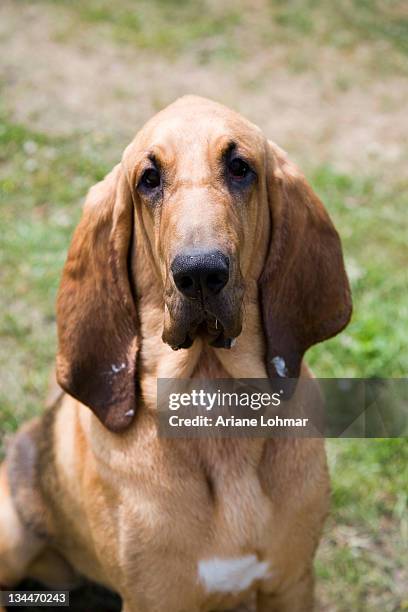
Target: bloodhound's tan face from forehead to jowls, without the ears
x=199, y=181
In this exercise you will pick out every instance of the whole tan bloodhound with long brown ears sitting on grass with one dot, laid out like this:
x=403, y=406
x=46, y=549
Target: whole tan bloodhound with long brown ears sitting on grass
x=204, y=253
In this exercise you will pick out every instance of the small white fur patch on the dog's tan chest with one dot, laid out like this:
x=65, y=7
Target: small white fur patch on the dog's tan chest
x=231, y=575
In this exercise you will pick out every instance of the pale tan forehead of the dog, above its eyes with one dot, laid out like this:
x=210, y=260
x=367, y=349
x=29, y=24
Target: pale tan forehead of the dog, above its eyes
x=200, y=132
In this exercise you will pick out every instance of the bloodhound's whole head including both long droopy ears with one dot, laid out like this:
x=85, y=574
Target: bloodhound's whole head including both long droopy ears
x=218, y=208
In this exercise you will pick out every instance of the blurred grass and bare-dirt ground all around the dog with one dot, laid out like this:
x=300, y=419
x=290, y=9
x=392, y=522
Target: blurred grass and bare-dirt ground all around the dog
x=51, y=153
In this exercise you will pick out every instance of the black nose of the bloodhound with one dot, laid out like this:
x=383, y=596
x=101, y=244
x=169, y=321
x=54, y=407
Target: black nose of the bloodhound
x=200, y=275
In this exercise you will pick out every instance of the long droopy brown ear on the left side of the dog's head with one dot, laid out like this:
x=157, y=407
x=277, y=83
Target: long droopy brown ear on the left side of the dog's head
x=96, y=313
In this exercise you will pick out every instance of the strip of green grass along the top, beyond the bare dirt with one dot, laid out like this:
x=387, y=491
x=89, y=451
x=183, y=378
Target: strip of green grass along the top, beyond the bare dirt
x=232, y=31
